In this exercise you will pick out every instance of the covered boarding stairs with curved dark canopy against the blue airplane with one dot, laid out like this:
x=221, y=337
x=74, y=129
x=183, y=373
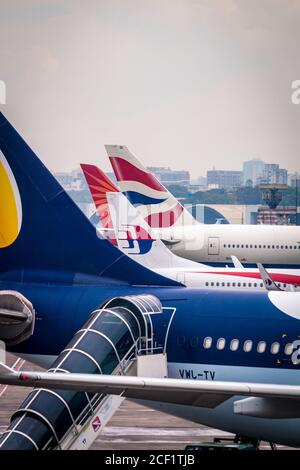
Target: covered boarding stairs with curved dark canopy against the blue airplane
x=116, y=339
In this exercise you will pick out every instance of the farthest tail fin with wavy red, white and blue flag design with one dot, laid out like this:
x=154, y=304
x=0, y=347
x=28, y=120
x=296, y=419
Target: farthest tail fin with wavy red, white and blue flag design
x=157, y=205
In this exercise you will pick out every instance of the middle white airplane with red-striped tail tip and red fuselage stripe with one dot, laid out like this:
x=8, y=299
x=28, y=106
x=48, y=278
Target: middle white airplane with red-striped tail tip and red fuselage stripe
x=125, y=227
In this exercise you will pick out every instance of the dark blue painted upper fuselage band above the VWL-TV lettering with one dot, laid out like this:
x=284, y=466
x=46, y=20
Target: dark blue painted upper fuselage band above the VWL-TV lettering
x=61, y=309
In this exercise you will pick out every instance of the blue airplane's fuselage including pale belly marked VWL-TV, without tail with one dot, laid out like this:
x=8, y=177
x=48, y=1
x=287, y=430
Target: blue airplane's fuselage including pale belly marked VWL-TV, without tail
x=62, y=309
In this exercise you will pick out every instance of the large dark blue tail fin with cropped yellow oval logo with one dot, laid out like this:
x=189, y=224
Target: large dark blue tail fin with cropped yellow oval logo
x=43, y=231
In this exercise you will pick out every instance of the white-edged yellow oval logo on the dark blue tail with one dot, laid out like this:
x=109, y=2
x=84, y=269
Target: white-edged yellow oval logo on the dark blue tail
x=10, y=205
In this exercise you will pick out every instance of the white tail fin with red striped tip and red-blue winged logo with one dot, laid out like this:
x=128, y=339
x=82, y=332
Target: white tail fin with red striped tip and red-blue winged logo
x=130, y=230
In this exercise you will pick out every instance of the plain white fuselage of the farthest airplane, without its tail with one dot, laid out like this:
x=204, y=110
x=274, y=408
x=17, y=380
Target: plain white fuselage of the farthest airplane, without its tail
x=273, y=246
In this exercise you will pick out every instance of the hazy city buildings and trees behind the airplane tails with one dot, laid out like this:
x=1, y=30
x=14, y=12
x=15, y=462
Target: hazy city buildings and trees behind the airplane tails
x=261, y=193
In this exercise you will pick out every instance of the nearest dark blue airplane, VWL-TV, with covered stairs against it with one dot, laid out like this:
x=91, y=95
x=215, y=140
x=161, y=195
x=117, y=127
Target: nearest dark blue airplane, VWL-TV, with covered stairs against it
x=75, y=302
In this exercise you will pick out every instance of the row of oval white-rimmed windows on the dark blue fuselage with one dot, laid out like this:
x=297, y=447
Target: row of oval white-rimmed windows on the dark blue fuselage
x=247, y=345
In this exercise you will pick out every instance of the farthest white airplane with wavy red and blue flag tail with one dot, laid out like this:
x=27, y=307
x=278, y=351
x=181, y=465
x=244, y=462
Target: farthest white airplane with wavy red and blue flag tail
x=274, y=246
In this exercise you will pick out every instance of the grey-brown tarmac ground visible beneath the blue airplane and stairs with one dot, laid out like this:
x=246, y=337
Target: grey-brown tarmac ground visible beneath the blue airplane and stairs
x=132, y=427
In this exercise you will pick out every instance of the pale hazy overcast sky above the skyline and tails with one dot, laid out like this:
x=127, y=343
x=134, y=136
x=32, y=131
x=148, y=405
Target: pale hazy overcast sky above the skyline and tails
x=184, y=83
